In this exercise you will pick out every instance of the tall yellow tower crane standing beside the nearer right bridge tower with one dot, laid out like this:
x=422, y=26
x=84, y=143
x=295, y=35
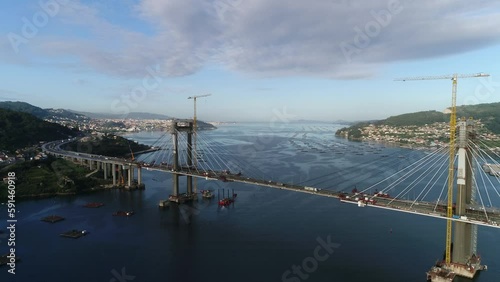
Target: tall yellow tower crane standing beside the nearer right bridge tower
x=453, y=124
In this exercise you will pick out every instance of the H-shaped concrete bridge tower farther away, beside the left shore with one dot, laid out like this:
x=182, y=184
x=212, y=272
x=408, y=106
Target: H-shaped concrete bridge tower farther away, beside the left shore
x=177, y=127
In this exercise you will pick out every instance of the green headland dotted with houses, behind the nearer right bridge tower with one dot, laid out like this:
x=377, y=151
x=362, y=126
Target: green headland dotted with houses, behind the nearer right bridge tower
x=426, y=128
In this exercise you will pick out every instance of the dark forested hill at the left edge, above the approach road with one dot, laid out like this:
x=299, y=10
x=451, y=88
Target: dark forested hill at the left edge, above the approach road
x=18, y=130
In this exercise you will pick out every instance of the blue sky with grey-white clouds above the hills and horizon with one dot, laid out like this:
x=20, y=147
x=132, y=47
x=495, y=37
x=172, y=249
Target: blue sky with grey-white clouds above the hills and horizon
x=334, y=59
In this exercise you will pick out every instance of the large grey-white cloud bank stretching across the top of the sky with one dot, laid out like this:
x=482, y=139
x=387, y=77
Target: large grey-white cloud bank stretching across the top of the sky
x=336, y=39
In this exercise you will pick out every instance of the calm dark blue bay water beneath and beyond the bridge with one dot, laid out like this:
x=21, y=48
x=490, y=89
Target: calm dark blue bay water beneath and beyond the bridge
x=267, y=235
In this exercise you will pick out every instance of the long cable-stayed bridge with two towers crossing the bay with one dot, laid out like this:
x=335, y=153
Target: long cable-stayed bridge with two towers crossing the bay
x=419, y=187
